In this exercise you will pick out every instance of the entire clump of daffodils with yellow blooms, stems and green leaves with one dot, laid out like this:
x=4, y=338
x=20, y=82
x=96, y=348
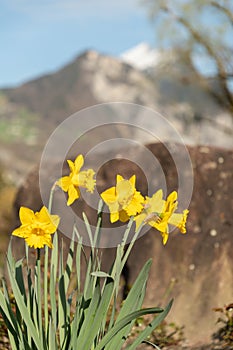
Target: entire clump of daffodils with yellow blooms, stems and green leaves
x=48, y=312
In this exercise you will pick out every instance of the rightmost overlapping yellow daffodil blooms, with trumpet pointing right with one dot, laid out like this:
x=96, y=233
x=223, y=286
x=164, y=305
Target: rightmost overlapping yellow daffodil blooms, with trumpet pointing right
x=158, y=213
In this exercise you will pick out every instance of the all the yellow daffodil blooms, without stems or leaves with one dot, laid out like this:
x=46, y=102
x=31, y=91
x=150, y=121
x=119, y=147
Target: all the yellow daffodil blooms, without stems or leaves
x=123, y=201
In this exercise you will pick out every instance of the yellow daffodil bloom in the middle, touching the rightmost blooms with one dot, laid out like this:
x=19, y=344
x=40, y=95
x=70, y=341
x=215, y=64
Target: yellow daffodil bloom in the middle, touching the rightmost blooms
x=123, y=200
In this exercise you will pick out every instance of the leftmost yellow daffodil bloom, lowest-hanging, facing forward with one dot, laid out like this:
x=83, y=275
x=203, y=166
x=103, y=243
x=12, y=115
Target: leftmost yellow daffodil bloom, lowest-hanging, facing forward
x=36, y=228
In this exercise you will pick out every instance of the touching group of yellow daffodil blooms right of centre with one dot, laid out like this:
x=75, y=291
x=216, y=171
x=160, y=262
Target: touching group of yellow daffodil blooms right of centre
x=125, y=201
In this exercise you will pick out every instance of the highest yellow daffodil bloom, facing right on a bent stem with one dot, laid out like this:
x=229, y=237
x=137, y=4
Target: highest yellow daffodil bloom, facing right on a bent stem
x=77, y=179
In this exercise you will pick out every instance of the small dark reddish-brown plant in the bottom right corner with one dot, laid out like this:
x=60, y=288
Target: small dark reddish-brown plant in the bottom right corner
x=225, y=333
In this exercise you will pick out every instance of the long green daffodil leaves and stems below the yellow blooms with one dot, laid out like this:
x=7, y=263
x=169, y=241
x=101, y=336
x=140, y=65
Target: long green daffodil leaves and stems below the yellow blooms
x=54, y=315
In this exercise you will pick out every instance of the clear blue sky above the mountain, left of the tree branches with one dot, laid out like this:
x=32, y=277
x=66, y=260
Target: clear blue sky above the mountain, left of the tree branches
x=40, y=36
